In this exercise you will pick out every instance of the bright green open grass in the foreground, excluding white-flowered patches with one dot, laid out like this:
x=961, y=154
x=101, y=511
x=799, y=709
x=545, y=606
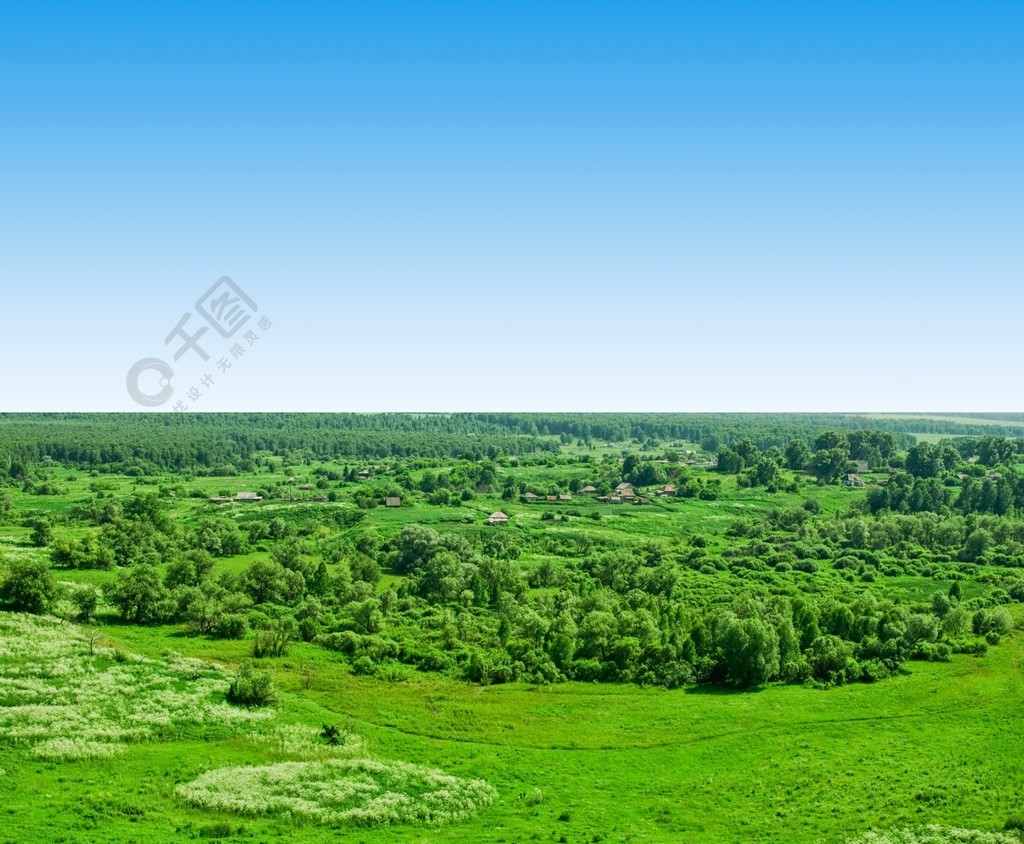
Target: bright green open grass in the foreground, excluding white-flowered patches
x=942, y=744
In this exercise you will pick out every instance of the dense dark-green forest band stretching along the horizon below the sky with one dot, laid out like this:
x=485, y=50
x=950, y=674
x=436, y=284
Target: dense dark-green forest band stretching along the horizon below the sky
x=214, y=442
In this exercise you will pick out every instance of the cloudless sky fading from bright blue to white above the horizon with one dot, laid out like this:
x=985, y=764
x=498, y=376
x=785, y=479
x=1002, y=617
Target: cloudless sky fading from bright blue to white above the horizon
x=520, y=206
